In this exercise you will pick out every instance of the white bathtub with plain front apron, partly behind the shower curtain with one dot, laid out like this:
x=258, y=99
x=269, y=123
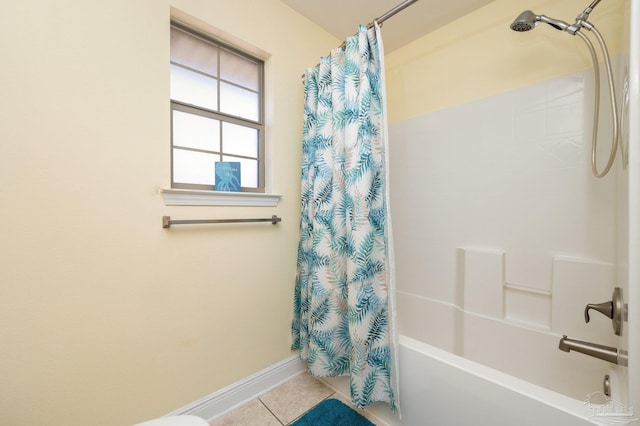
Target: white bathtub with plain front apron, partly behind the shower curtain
x=440, y=388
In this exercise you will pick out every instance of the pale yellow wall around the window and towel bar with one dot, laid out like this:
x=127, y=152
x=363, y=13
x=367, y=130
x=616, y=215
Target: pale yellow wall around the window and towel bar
x=105, y=317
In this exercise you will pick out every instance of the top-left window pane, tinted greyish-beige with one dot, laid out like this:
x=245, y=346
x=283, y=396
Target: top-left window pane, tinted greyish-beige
x=194, y=52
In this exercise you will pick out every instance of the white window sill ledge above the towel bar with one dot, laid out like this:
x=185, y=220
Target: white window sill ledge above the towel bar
x=190, y=197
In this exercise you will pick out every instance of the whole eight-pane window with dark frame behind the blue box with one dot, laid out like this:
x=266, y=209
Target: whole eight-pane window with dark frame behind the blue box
x=216, y=112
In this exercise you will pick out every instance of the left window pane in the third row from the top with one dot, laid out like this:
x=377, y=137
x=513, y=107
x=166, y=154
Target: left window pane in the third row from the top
x=194, y=131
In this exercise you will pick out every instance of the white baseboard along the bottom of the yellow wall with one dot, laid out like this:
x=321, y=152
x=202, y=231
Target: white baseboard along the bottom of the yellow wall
x=244, y=390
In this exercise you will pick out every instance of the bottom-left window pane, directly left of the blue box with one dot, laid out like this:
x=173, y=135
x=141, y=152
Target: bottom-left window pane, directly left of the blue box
x=194, y=167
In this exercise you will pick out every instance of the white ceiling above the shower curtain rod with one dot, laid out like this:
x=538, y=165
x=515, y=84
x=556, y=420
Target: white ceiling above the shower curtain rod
x=341, y=17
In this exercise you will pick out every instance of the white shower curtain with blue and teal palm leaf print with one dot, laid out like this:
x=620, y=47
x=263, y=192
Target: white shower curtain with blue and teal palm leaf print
x=344, y=291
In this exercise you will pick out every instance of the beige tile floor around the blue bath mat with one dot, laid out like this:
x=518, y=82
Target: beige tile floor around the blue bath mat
x=284, y=404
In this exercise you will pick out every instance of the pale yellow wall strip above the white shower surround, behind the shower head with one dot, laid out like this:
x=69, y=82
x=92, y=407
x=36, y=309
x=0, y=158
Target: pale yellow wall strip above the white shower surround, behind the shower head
x=479, y=56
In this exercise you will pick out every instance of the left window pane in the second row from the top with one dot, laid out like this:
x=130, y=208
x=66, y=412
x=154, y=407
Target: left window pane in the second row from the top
x=193, y=88
